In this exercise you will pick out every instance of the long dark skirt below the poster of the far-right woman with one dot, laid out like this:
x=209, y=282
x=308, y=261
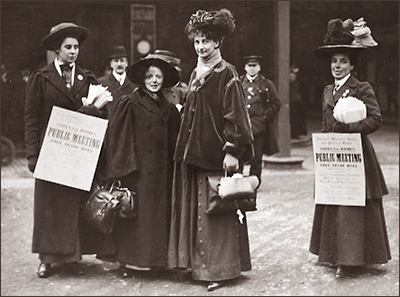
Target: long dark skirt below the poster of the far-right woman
x=350, y=235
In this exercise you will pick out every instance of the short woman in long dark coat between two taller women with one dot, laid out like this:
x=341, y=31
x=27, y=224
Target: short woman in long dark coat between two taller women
x=139, y=152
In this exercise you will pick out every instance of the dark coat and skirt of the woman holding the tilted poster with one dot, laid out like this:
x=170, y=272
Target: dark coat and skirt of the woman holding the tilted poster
x=56, y=207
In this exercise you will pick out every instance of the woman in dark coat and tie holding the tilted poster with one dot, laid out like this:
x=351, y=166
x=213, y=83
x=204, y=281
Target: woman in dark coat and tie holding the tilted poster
x=59, y=235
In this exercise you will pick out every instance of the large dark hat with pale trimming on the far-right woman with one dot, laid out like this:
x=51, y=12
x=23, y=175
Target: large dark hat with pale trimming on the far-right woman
x=349, y=36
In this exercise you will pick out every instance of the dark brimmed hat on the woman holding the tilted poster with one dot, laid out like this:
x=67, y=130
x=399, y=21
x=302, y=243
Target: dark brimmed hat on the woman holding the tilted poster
x=63, y=30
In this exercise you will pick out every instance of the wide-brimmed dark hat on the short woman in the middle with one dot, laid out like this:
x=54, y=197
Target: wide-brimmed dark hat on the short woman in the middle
x=136, y=71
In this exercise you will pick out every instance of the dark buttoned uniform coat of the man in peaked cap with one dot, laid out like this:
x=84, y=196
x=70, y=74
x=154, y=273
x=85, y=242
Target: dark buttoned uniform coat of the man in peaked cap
x=263, y=105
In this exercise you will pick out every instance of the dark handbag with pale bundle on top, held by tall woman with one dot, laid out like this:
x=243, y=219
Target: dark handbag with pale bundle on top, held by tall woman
x=241, y=195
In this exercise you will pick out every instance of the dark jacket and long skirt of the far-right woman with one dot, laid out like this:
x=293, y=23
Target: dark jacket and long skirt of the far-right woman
x=353, y=235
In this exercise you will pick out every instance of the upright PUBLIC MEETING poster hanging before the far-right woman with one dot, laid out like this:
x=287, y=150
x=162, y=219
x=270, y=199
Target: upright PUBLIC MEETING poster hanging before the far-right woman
x=339, y=169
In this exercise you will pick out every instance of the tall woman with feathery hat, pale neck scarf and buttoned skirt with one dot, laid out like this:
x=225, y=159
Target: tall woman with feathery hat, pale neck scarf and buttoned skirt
x=214, y=135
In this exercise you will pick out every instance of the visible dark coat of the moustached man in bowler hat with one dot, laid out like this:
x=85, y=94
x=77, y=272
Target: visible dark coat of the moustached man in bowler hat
x=117, y=90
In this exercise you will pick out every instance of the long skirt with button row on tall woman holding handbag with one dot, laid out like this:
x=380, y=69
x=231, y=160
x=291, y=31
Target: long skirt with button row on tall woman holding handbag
x=215, y=247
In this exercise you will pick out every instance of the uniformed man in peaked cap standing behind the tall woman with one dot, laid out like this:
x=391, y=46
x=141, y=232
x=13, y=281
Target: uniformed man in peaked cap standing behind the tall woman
x=263, y=104
